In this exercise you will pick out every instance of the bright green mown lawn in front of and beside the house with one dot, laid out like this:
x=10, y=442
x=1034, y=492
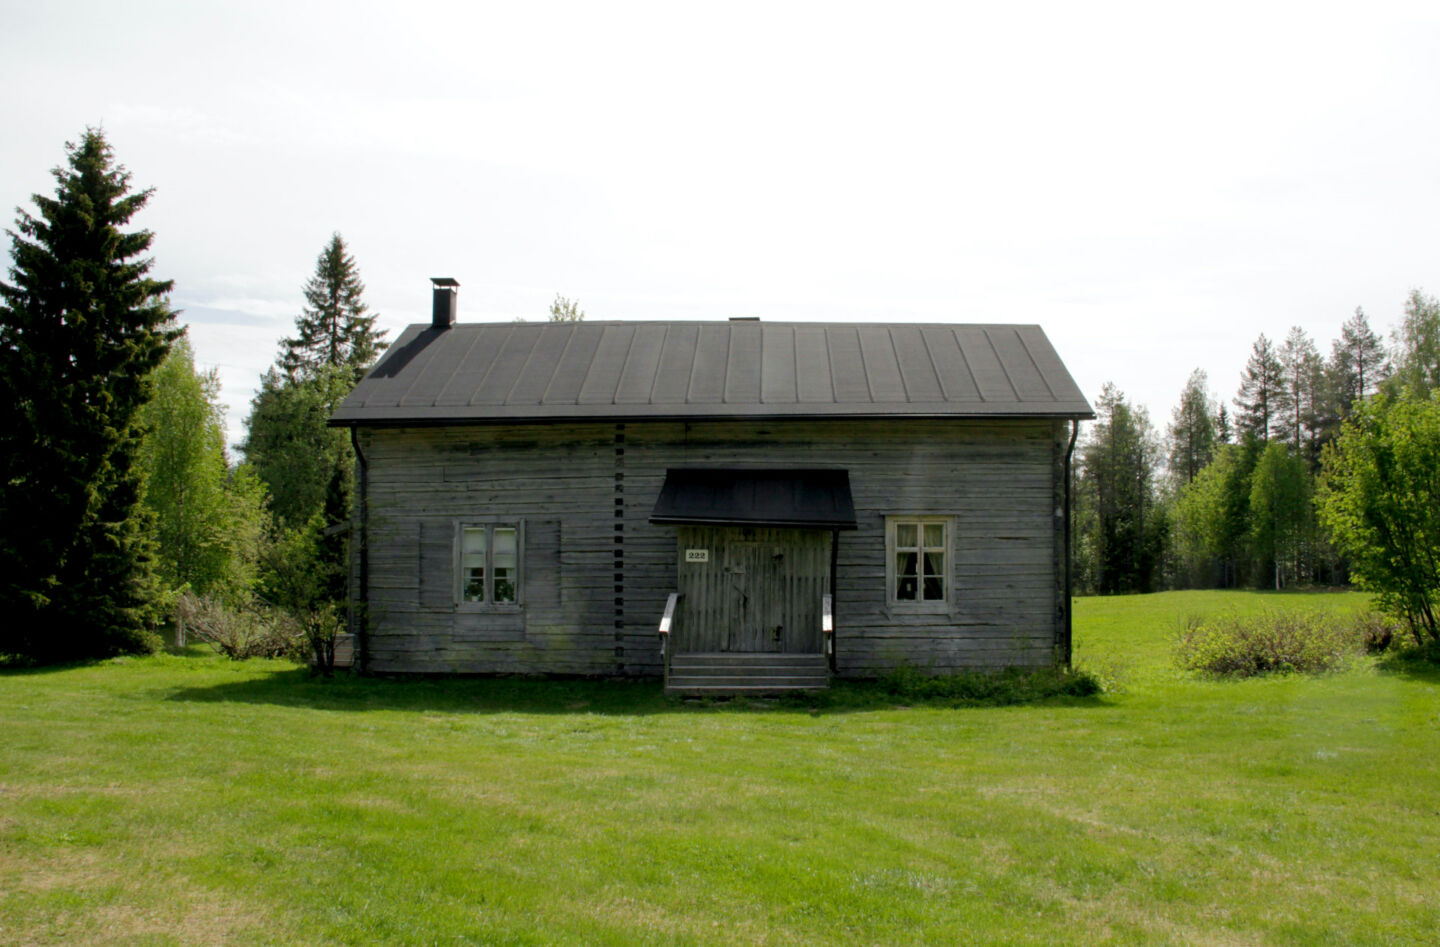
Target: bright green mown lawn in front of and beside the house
x=186, y=799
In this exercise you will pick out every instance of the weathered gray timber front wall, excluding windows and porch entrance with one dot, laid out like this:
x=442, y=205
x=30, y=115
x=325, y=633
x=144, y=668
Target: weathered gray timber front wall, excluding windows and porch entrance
x=595, y=574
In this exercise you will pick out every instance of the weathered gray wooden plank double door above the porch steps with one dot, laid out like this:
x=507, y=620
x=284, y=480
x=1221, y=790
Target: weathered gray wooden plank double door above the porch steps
x=752, y=589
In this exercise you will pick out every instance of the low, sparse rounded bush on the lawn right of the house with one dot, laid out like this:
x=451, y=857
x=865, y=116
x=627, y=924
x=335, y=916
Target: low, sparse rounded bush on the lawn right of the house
x=1274, y=643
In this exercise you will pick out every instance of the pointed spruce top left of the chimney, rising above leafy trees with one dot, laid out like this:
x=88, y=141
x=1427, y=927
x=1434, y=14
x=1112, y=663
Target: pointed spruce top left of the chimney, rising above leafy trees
x=336, y=327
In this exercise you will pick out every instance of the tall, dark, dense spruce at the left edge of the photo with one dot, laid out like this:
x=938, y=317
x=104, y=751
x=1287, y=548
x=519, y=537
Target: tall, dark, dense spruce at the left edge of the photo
x=83, y=326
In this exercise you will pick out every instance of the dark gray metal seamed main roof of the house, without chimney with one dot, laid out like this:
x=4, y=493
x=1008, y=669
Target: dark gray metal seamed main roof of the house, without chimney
x=505, y=372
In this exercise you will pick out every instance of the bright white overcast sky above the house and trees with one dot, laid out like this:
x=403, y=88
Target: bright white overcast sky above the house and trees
x=1154, y=185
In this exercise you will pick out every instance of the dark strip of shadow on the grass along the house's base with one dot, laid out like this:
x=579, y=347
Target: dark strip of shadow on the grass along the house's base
x=549, y=696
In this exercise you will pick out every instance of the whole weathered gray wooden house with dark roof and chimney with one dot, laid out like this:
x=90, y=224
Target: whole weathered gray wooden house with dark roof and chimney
x=737, y=506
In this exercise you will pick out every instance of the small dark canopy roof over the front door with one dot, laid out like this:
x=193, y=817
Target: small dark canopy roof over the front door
x=738, y=497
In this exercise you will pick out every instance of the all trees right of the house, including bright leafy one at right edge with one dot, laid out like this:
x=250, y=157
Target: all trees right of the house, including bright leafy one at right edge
x=1321, y=474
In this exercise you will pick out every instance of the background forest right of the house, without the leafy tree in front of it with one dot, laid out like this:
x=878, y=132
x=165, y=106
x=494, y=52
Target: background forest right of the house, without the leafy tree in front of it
x=1230, y=494
